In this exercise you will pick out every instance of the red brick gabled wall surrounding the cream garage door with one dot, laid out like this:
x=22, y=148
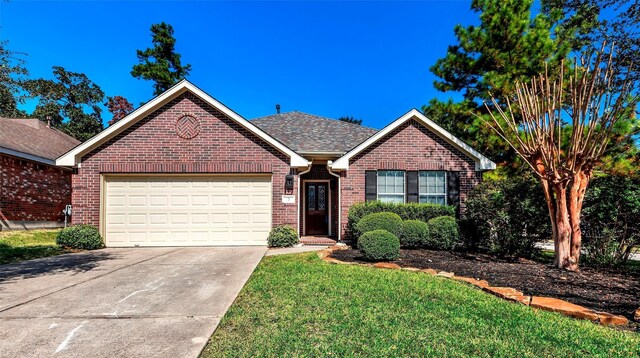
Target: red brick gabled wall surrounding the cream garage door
x=152, y=146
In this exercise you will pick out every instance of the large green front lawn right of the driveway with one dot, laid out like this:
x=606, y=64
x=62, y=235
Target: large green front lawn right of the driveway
x=298, y=305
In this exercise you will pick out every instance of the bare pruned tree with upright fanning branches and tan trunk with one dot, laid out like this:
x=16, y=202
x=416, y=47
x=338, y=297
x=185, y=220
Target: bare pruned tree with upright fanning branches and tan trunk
x=561, y=130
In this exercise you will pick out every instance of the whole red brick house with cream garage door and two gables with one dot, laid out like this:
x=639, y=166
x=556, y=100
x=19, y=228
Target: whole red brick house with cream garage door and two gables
x=186, y=170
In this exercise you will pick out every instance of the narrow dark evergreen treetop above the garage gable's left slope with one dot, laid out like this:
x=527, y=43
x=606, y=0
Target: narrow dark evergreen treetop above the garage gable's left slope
x=161, y=63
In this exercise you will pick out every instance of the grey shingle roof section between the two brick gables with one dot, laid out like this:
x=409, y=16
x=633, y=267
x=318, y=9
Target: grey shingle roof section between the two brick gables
x=305, y=132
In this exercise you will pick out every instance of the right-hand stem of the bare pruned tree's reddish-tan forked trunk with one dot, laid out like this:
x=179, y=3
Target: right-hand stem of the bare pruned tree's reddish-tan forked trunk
x=576, y=198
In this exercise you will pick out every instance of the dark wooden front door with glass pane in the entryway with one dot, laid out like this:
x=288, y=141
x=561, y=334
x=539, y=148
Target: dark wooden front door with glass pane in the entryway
x=316, y=208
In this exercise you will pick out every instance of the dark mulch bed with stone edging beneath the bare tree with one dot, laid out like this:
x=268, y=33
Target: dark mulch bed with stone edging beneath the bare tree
x=607, y=290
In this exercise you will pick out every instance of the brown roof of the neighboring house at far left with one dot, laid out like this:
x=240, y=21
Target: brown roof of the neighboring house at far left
x=32, y=139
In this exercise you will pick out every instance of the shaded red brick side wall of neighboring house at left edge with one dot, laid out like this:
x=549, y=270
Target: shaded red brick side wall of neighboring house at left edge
x=31, y=191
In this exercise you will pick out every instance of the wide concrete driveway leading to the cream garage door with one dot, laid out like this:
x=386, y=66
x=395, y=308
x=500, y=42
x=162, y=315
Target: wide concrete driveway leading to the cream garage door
x=140, y=302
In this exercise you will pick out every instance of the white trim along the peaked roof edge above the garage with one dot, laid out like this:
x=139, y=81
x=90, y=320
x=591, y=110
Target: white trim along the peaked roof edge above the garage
x=72, y=157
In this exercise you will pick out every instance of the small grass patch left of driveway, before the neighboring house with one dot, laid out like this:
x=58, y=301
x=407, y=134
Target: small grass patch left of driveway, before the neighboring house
x=16, y=246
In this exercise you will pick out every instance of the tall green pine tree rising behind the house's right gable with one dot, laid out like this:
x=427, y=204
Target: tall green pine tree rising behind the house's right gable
x=508, y=45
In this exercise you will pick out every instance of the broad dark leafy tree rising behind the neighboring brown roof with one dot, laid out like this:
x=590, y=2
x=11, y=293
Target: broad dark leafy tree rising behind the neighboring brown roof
x=71, y=100
